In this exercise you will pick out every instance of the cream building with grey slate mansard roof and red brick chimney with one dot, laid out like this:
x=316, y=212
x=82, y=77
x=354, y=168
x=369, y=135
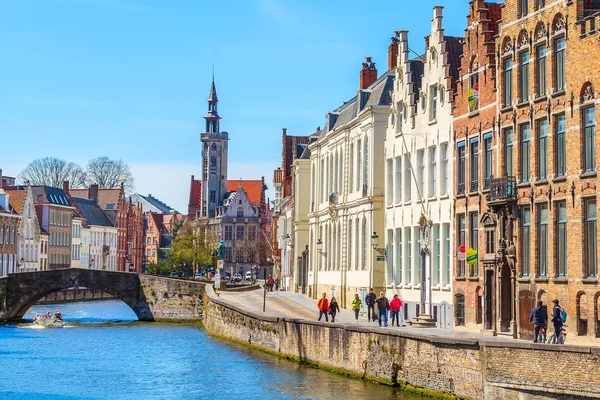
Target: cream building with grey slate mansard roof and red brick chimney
x=347, y=192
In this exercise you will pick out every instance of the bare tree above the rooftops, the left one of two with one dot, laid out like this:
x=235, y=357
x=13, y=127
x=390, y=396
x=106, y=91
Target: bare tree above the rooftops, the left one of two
x=52, y=171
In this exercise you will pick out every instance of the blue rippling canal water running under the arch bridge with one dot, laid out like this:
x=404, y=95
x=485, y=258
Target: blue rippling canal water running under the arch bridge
x=103, y=353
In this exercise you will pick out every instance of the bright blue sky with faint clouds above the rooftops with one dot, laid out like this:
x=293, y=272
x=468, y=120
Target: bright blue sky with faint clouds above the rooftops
x=129, y=79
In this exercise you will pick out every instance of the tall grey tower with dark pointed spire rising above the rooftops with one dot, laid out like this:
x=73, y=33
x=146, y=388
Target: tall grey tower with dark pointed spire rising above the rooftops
x=214, y=158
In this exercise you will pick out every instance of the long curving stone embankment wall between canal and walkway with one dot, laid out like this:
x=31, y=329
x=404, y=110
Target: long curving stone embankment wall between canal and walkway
x=443, y=366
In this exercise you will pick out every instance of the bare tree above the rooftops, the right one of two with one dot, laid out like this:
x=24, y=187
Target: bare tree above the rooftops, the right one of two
x=109, y=173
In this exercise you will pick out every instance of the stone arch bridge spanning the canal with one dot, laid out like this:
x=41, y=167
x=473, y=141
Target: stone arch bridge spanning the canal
x=151, y=297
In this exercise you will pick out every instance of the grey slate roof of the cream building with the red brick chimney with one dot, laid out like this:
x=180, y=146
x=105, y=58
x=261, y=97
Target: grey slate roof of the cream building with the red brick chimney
x=379, y=95
